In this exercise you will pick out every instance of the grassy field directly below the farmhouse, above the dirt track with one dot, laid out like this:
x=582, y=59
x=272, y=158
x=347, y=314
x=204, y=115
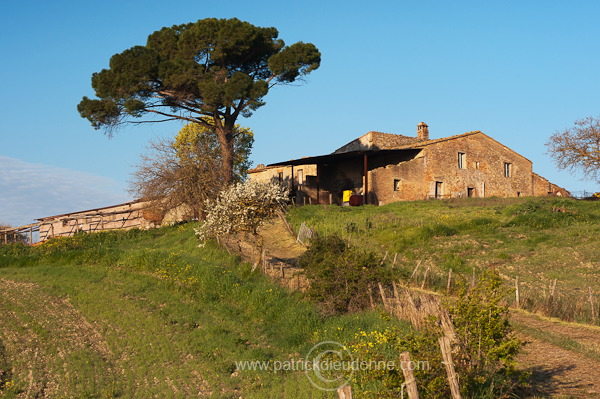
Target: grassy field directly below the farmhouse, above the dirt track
x=537, y=240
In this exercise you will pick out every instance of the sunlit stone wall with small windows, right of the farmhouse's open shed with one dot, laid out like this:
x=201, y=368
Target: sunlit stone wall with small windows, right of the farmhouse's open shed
x=436, y=173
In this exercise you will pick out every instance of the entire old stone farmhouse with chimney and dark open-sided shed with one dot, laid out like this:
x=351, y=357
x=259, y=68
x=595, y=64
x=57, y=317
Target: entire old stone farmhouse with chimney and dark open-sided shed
x=385, y=168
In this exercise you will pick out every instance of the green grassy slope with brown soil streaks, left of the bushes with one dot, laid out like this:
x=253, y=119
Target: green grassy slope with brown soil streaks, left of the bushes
x=143, y=314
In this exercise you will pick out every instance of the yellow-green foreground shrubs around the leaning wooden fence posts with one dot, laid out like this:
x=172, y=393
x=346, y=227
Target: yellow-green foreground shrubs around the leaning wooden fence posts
x=483, y=350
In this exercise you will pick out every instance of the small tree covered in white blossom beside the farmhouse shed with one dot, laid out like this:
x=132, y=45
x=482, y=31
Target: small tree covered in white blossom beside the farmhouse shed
x=242, y=208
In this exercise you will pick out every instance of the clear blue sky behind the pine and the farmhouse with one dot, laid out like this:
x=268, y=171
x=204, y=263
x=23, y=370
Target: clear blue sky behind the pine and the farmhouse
x=516, y=70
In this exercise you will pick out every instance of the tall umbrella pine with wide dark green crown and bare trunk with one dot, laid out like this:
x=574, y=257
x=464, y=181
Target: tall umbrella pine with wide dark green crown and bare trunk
x=215, y=68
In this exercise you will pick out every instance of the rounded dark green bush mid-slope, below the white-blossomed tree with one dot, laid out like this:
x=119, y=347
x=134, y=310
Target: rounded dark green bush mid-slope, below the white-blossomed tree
x=341, y=276
